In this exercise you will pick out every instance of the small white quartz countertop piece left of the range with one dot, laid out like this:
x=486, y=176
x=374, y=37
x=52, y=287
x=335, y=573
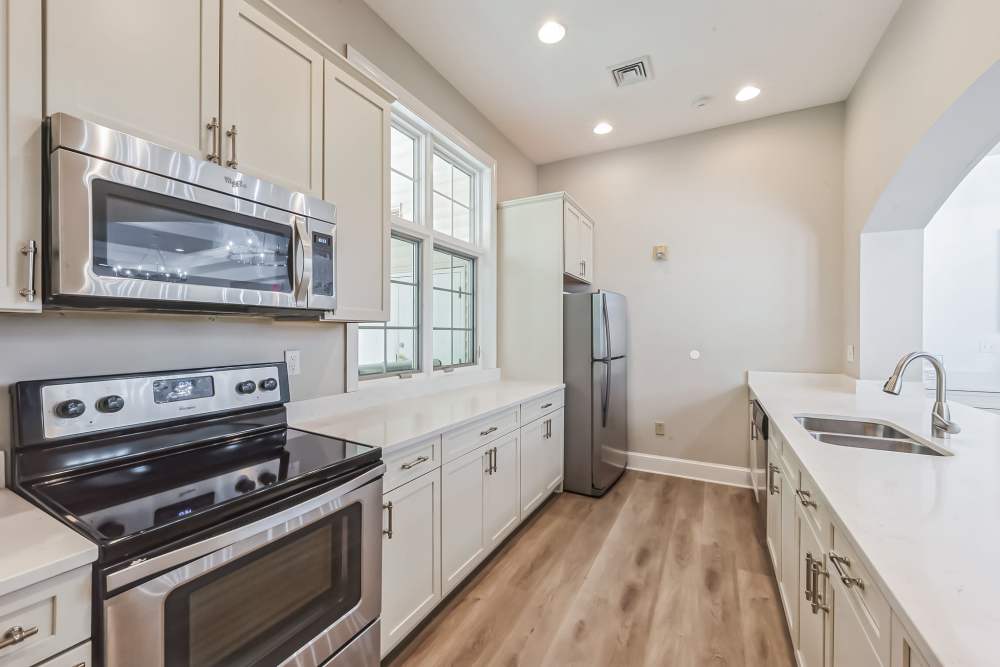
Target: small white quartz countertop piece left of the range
x=34, y=546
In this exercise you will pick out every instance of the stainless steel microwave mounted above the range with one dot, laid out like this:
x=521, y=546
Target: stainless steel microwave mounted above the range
x=121, y=237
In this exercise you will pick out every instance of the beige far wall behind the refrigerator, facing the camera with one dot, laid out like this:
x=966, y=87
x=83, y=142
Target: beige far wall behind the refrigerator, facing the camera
x=752, y=214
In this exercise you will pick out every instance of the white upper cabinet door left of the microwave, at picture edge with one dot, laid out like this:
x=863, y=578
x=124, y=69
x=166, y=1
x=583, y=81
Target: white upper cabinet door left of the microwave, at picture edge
x=20, y=155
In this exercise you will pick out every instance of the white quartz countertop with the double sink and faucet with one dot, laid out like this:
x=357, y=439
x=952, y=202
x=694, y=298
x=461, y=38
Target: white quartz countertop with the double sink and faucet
x=929, y=526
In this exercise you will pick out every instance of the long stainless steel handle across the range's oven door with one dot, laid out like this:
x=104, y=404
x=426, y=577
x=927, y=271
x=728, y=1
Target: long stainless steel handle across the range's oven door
x=156, y=565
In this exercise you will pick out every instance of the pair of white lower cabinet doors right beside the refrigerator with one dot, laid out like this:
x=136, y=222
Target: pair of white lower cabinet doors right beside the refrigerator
x=541, y=459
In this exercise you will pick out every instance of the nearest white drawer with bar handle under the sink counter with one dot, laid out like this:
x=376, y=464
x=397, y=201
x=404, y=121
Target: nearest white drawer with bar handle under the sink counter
x=861, y=593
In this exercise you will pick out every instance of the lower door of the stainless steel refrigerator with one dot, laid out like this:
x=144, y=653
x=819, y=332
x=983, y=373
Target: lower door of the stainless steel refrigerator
x=610, y=426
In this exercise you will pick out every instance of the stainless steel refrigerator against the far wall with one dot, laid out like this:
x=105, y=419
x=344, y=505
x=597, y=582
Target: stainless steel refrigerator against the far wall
x=595, y=347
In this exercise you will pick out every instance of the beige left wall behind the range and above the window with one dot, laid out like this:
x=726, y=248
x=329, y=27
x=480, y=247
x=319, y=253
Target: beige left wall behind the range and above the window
x=60, y=345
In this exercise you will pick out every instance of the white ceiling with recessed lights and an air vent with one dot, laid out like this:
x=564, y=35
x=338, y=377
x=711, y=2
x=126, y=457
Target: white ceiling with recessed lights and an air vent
x=547, y=98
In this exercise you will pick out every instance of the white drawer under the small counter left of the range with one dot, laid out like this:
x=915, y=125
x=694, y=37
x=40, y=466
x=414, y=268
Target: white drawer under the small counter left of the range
x=56, y=612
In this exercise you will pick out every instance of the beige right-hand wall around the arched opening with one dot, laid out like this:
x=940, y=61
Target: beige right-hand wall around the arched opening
x=930, y=55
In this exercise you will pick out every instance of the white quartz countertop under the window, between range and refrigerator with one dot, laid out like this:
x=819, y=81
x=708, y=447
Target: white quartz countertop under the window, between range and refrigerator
x=395, y=424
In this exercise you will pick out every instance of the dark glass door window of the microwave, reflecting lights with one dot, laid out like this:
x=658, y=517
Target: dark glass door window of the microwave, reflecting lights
x=143, y=235
